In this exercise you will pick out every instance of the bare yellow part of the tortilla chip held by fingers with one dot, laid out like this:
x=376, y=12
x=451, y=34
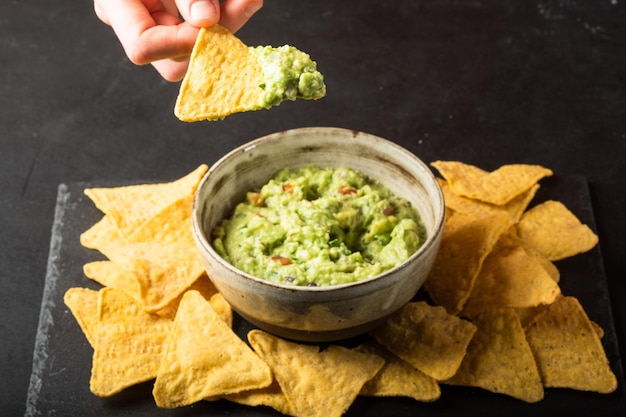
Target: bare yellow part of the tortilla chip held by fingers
x=223, y=78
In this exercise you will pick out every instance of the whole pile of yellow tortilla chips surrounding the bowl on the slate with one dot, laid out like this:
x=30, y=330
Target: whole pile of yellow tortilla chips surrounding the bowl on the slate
x=499, y=321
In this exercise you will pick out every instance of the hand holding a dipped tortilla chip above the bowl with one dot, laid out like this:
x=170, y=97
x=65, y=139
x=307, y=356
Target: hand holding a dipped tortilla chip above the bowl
x=151, y=31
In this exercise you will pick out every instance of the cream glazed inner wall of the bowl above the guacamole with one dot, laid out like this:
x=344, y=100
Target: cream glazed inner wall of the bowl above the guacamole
x=250, y=166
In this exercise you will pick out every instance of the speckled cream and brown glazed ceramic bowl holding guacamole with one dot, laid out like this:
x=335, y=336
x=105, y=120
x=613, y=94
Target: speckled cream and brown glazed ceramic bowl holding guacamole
x=317, y=314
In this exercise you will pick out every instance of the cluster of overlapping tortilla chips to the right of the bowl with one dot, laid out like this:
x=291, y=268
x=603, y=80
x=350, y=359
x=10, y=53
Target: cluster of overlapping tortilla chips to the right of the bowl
x=495, y=269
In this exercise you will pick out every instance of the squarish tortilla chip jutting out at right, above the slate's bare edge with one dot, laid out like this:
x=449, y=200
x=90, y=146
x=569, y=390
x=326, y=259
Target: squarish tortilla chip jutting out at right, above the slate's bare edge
x=555, y=231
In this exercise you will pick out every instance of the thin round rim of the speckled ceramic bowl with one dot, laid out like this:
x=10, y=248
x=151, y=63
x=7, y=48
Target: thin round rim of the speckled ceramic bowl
x=201, y=237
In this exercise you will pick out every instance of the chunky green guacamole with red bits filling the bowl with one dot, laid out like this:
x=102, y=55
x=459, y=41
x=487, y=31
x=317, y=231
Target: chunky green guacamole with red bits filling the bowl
x=319, y=227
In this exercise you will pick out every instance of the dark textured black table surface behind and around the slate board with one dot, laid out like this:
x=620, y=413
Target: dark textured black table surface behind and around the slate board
x=486, y=82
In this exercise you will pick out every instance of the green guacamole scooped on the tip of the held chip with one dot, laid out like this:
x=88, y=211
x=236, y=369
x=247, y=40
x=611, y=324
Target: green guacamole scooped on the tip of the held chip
x=288, y=74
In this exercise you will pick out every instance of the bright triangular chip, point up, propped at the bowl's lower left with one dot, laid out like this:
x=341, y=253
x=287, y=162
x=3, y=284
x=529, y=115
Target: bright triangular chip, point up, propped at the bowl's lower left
x=205, y=358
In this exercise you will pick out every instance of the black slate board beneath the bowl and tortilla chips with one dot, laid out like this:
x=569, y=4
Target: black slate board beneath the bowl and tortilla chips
x=59, y=383
